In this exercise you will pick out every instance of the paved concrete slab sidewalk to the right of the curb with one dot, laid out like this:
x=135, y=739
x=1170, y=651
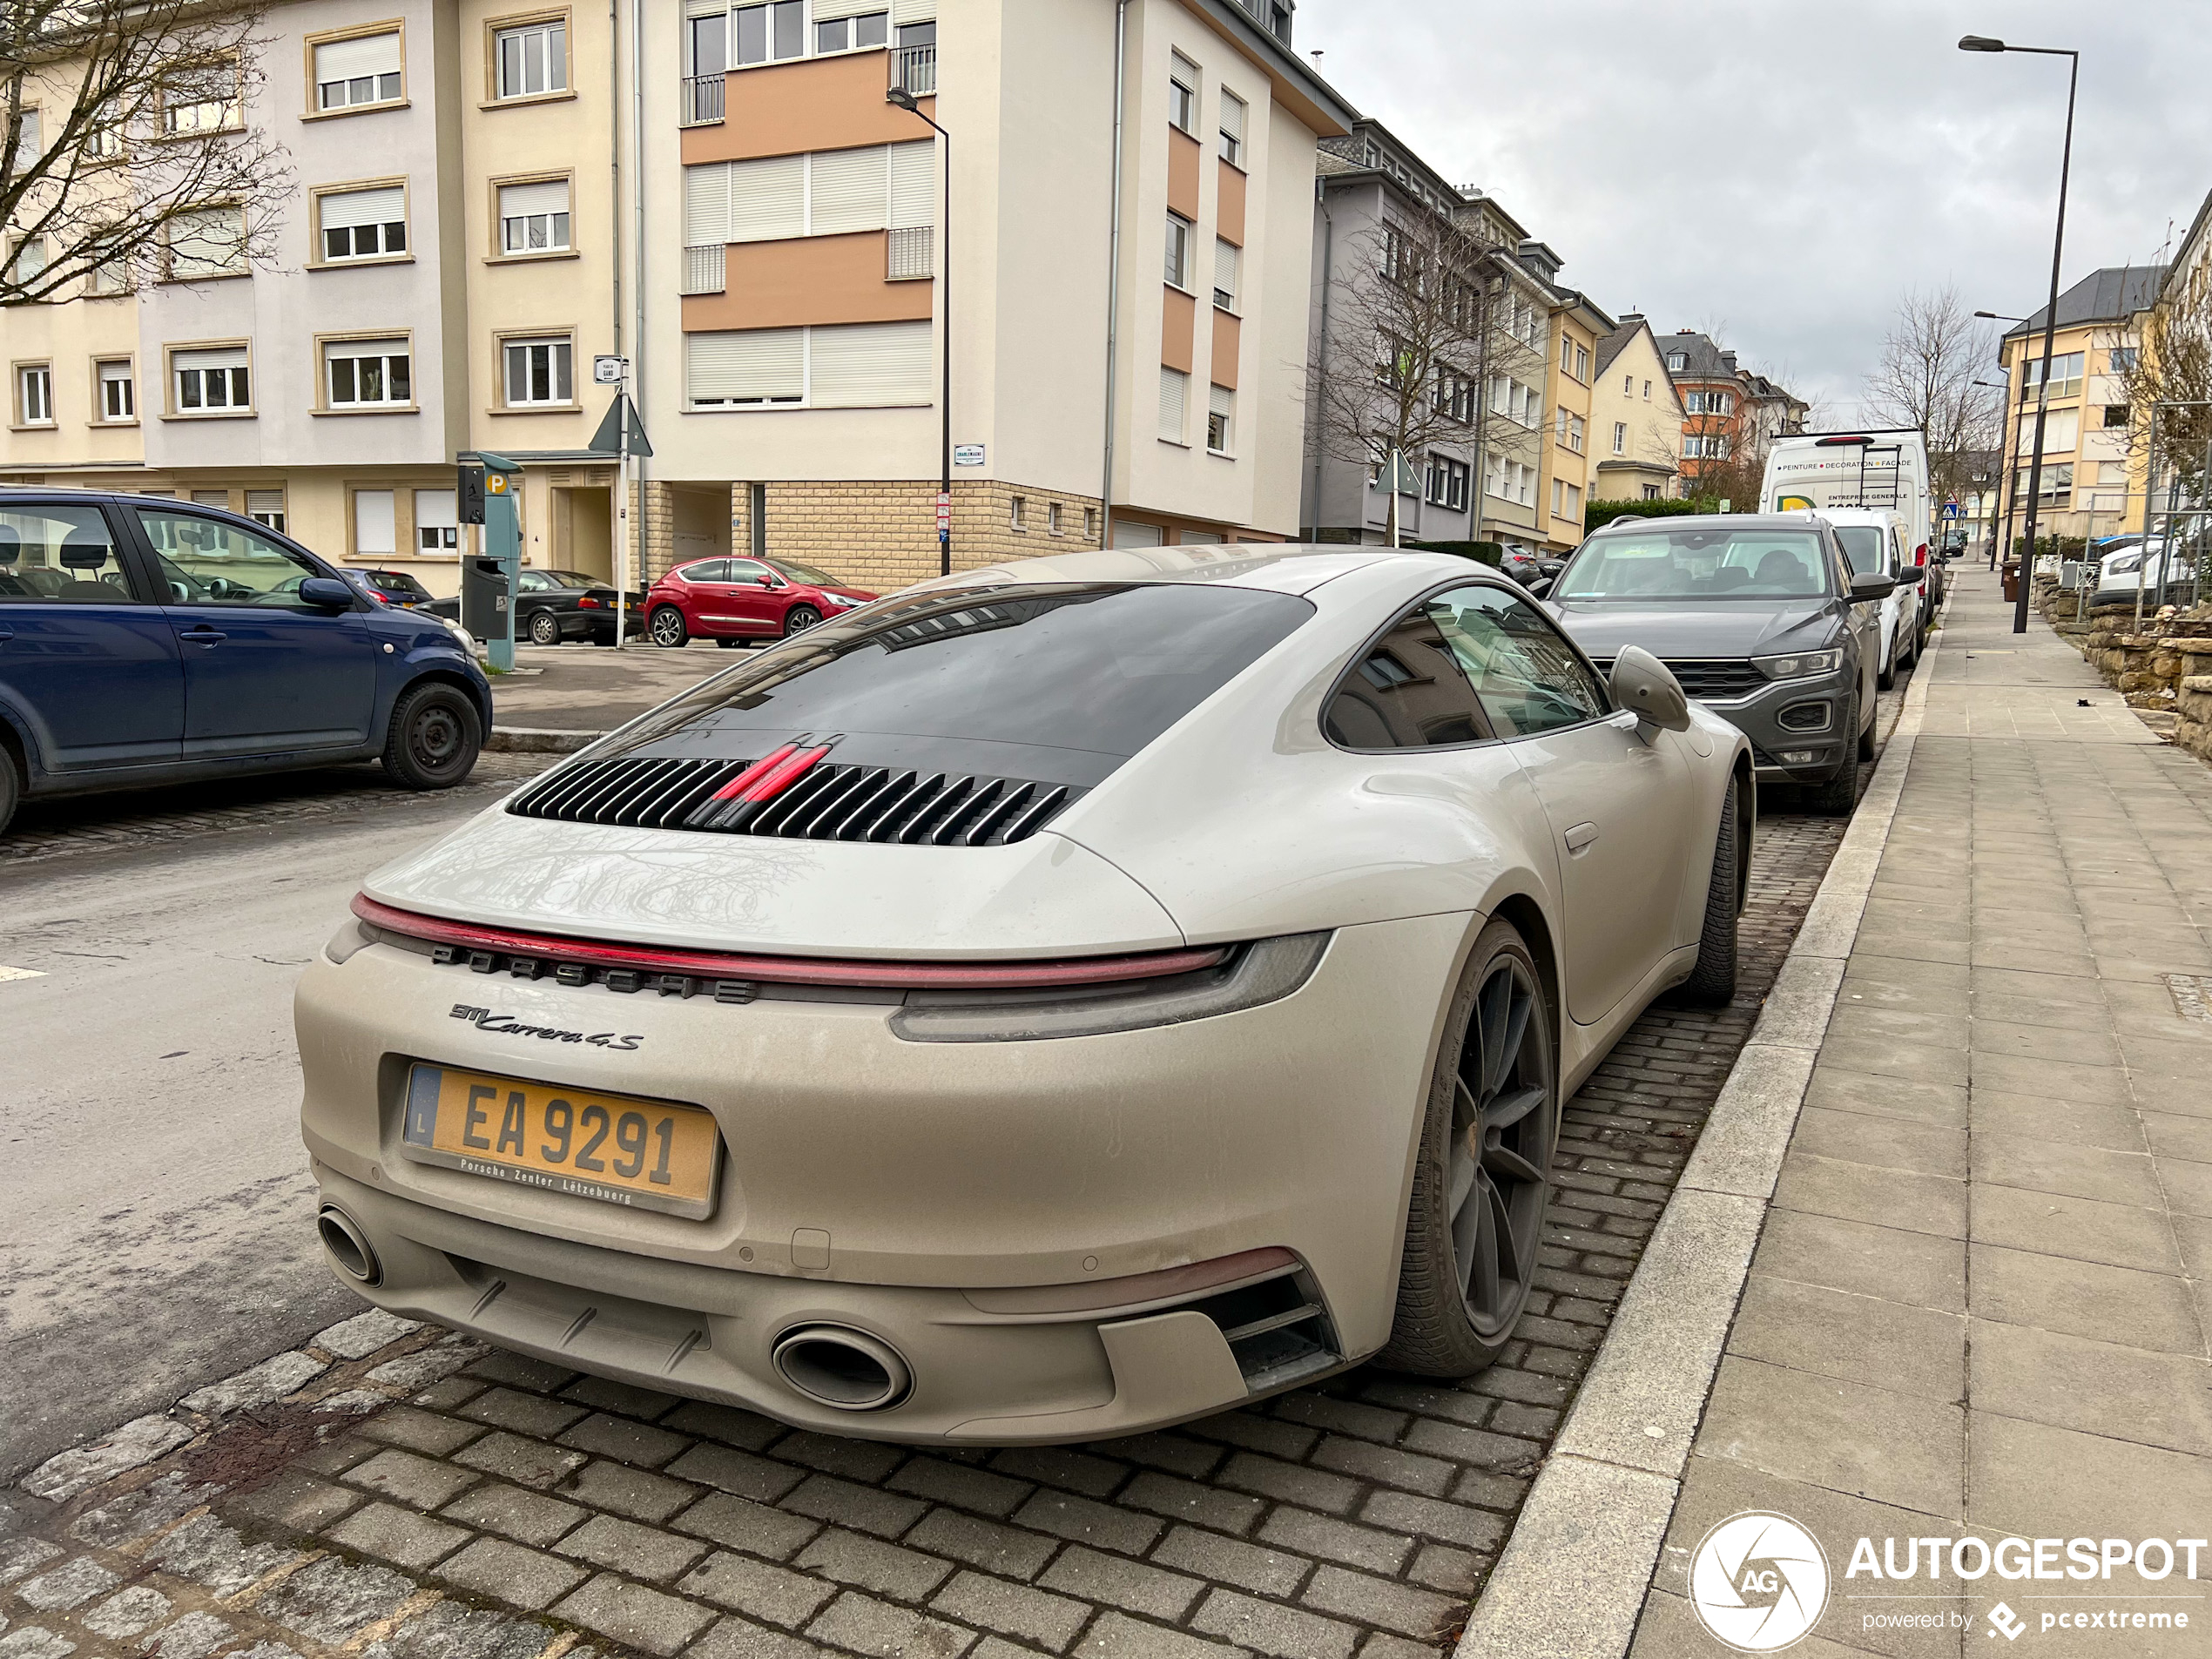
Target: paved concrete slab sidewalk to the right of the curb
x=1983, y=1291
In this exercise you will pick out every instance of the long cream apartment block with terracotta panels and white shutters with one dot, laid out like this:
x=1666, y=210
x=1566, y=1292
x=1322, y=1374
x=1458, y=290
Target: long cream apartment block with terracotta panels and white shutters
x=492, y=196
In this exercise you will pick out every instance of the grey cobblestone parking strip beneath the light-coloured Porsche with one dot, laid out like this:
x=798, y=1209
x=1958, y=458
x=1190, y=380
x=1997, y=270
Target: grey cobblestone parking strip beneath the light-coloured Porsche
x=404, y=1494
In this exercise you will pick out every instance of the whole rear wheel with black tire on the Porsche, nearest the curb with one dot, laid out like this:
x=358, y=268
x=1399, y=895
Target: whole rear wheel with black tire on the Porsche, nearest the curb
x=1470, y=1266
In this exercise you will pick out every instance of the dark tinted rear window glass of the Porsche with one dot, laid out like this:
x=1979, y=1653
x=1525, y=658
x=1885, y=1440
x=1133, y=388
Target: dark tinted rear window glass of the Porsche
x=1036, y=682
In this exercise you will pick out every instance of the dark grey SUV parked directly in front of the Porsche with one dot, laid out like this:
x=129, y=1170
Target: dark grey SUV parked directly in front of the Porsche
x=1757, y=616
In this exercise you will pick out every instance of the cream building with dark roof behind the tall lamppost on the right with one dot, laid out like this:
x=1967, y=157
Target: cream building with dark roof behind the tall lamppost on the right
x=2089, y=483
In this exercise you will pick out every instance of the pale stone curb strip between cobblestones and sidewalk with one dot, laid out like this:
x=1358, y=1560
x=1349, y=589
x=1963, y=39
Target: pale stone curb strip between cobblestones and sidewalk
x=1574, y=1576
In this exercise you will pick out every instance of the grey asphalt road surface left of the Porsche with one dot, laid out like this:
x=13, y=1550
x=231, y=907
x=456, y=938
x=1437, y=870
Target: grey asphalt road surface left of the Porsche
x=156, y=1220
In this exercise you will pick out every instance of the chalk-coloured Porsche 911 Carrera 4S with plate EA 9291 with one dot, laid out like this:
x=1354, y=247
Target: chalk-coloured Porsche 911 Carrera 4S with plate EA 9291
x=1050, y=1003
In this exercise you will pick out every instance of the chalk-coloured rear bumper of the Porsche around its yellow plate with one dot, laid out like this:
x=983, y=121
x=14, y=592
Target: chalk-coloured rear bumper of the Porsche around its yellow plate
x=957, y=1202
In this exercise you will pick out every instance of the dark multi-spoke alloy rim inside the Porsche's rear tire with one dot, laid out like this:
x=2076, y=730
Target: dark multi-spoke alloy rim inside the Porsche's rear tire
x=1501, y=1147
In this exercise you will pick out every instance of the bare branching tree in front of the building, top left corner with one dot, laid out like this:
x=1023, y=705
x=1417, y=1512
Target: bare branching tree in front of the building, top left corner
x=125, y=152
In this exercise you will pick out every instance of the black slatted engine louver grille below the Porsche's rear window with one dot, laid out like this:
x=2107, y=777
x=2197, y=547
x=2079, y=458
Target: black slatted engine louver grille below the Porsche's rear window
x=824, y=804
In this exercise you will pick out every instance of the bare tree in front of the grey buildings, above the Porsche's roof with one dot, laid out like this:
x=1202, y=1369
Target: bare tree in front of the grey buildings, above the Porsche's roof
x=1412, y=337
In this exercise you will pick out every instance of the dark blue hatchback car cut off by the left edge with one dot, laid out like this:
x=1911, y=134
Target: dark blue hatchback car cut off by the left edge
x=145, y=640
